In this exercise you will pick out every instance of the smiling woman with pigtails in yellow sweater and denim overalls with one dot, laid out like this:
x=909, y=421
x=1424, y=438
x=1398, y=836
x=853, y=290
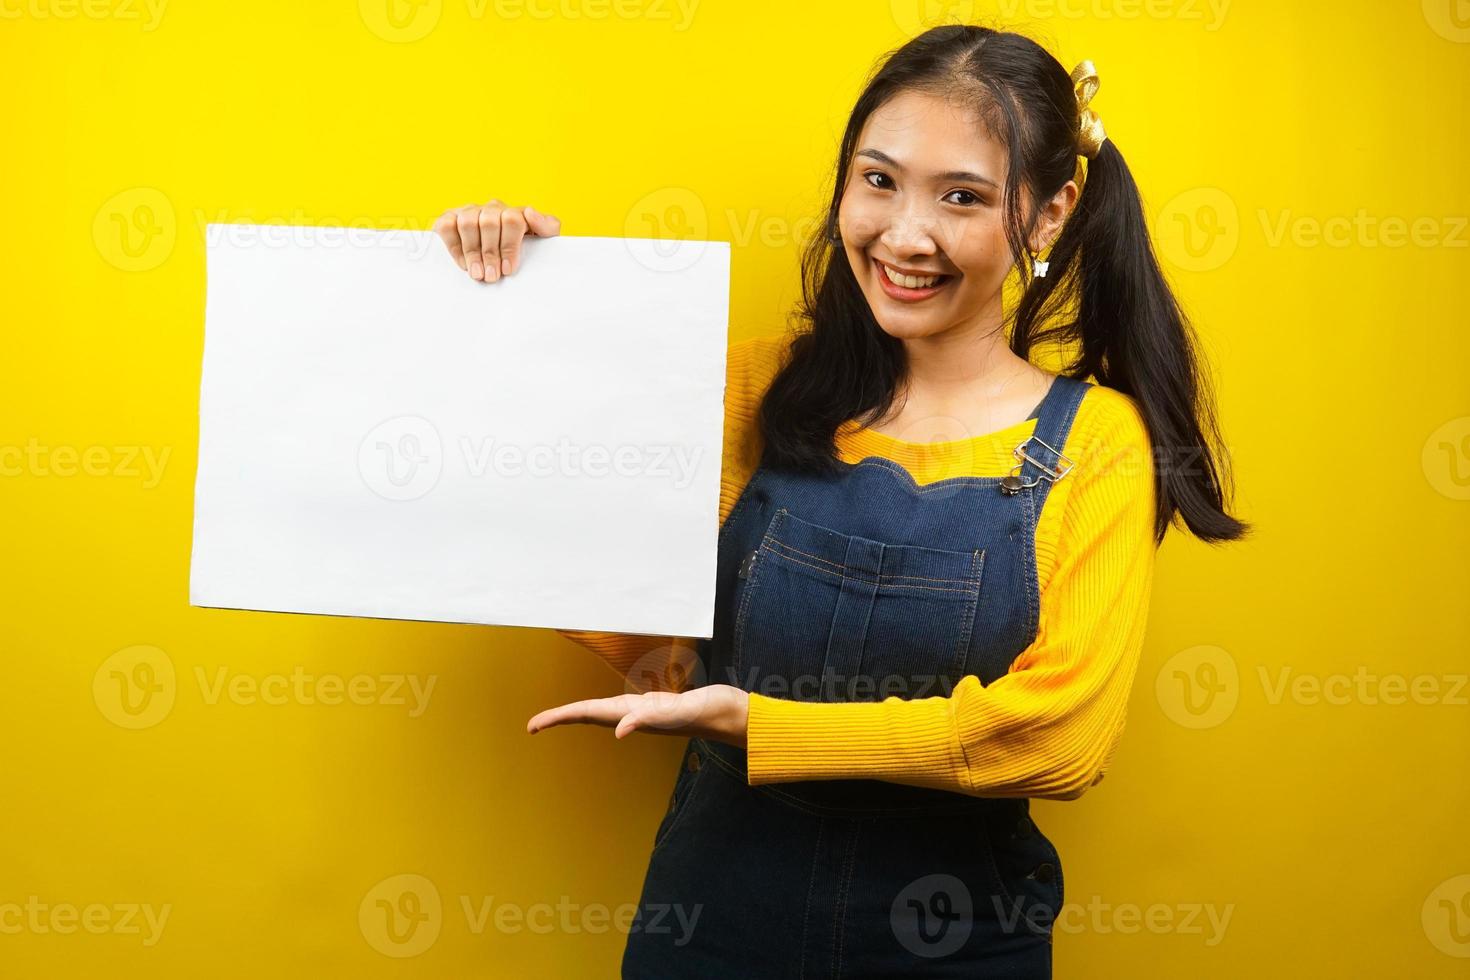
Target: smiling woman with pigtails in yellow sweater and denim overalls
x=914, y=635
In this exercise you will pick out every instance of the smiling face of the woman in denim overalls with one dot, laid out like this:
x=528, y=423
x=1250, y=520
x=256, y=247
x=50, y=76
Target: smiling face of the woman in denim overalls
x=924, y=205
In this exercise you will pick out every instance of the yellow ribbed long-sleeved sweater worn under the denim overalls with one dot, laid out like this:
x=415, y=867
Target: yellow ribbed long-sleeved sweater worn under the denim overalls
x=1046, y=729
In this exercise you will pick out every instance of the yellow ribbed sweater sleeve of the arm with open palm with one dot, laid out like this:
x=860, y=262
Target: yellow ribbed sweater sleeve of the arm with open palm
x=1049, y=728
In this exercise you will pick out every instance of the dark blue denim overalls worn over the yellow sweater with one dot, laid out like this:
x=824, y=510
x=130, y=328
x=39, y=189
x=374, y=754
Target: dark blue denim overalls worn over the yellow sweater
x=855, y=588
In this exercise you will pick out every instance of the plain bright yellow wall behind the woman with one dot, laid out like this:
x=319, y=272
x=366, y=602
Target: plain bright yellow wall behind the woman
x=1280, y=148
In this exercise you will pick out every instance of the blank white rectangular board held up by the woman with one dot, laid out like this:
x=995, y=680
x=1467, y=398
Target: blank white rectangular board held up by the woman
x=364, y=403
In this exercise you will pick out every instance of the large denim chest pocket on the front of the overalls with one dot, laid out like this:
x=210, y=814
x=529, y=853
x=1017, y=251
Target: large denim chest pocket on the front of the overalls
x=825, y=616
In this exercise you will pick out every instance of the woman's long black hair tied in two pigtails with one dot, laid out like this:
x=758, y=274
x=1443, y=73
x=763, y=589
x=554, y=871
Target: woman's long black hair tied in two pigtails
x=1105, y=299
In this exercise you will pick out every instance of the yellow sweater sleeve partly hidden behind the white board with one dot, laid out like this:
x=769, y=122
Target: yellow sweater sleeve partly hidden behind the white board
x=667, y=663
